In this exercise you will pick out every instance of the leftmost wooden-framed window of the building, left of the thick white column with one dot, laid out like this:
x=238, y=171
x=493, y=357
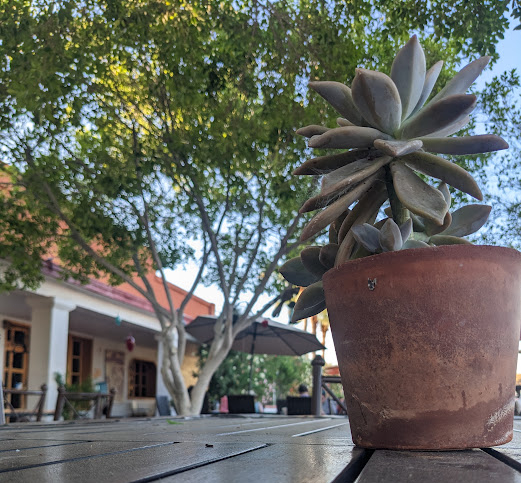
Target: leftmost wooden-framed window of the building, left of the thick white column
x=16, y=353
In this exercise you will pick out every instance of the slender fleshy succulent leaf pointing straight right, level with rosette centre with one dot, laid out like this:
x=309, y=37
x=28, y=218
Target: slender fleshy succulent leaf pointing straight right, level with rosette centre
x=484, y=143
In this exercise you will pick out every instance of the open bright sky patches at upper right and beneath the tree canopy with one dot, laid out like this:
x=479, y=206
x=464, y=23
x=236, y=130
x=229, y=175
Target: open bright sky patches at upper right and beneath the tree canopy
x=509, y=58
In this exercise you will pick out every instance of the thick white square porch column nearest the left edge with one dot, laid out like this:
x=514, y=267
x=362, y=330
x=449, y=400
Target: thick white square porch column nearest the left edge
x=49, y=339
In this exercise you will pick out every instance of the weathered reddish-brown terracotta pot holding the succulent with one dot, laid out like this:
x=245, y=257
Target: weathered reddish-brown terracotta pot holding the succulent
x=428, y=357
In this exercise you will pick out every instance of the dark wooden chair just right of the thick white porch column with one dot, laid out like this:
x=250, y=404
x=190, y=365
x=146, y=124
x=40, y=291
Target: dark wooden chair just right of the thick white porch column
x=98, y=402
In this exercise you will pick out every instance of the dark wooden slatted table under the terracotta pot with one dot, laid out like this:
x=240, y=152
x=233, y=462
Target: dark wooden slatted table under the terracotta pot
x=228, y=449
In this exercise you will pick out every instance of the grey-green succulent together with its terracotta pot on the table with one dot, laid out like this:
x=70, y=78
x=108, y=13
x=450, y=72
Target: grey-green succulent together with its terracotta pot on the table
x=425, y=325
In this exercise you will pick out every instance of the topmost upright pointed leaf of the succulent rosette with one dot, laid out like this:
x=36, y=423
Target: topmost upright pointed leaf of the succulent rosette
x=408, y=74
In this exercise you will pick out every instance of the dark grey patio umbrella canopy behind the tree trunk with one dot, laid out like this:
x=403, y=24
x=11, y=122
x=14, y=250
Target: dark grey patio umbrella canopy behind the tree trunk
x=264, y=336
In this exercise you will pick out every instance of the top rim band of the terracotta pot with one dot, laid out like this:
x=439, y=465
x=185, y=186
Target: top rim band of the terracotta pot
x=424, y=253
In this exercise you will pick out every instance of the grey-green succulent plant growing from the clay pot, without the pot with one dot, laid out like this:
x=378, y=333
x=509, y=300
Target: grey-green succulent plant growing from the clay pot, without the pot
x=388, y=133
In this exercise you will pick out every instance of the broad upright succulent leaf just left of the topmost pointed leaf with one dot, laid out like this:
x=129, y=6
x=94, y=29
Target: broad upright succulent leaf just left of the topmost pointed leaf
x=377, y=99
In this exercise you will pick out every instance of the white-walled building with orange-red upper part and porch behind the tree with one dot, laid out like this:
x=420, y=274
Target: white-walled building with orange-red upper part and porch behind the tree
x=80, y=331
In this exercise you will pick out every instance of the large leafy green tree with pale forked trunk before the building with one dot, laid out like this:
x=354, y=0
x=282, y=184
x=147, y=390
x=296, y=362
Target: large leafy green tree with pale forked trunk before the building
x=138, y=134
